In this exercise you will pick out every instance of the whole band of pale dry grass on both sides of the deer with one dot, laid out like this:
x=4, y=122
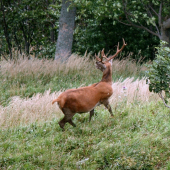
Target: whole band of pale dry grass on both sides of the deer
x=21, y=112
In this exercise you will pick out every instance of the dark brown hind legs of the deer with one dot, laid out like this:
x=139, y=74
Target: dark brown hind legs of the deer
x=67, y=118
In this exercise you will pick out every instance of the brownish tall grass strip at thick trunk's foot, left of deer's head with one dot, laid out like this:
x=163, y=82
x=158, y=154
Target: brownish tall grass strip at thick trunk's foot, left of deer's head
x=44, y=67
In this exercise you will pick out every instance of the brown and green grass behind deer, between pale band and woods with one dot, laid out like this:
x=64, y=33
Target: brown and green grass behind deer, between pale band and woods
x=25, y=78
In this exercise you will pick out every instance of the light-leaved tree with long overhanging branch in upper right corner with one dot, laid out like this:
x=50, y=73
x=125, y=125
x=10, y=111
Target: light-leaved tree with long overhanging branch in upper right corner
x=150, y=15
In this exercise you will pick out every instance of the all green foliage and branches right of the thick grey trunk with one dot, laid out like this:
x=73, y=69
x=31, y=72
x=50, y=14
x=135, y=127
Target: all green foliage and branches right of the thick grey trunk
x=141, y=23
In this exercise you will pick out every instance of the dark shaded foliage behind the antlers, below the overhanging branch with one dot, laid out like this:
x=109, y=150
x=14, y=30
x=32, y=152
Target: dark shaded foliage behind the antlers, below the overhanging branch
x=94, y=36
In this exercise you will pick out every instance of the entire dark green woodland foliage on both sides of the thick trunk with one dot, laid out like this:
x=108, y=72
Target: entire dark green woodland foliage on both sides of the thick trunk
x=32, y=26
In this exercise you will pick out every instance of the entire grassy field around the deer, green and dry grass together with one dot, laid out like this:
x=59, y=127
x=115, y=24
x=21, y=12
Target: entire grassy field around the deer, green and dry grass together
x=137, y=137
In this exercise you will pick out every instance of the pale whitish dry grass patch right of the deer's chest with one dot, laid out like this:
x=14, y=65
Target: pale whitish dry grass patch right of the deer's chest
x=130, y=91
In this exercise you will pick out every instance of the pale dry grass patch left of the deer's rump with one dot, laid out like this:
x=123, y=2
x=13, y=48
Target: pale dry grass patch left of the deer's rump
x=21, y=112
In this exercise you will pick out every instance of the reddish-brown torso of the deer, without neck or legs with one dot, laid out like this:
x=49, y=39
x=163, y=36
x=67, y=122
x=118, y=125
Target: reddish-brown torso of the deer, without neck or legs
x=83, y=99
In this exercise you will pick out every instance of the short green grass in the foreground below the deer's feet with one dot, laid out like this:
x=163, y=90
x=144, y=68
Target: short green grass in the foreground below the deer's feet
x=136, y=138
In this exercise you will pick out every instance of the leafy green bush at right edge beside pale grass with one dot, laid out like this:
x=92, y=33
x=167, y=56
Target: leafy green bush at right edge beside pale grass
x=159, y=73
